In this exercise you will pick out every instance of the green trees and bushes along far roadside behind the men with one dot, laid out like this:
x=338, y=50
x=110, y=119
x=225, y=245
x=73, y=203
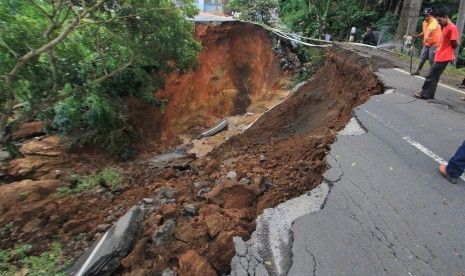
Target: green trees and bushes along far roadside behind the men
x=316, y=18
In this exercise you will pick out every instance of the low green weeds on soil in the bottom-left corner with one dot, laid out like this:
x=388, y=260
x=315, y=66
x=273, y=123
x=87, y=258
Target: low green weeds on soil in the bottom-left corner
x=48, y=263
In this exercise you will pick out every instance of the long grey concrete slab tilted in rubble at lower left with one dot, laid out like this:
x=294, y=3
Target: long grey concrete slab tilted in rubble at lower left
x=105, y=255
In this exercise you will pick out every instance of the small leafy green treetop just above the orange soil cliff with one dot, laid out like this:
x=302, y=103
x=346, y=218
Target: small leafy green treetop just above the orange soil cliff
x=254, y=10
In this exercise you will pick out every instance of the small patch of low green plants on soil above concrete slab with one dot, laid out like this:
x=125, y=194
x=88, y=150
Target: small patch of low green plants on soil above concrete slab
x=110, y=179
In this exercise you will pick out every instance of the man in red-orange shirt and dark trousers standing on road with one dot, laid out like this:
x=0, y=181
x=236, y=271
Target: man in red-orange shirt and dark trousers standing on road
x=444, y=55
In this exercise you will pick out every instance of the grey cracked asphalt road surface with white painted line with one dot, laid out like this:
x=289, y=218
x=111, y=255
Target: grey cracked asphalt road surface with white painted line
x=388, y=211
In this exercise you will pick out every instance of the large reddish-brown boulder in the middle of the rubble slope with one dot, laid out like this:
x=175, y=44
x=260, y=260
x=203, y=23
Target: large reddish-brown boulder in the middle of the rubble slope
x=233, y=194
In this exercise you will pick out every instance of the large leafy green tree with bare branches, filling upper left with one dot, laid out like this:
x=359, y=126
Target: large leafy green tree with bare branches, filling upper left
x=72, y=61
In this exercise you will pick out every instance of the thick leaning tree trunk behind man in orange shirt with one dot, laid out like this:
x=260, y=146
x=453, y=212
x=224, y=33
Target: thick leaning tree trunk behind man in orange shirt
x=408, y=19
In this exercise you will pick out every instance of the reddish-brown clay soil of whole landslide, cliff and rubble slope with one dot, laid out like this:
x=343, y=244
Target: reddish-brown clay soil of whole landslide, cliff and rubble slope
x=282, y=154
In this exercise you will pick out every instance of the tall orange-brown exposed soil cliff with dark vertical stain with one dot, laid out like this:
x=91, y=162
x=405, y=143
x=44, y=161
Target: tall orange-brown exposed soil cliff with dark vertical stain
x=237, y=67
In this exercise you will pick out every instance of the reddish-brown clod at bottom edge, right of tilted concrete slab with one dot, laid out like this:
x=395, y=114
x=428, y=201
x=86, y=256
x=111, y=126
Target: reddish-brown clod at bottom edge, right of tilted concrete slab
x=192, y=264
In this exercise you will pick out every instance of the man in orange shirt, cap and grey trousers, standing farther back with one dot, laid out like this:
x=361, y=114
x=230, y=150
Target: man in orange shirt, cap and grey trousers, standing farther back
x=431, y=35
